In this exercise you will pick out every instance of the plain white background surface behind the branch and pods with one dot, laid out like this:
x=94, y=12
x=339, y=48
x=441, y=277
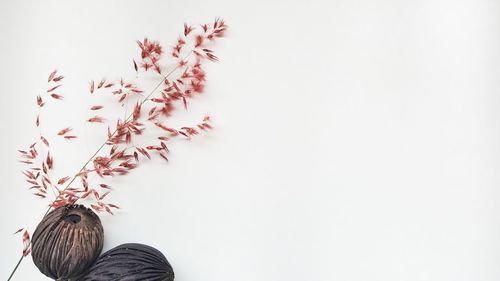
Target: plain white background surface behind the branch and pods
x=355, y=140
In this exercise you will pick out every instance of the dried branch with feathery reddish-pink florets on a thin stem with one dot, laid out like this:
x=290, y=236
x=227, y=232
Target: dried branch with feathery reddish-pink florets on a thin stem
x=178, y=85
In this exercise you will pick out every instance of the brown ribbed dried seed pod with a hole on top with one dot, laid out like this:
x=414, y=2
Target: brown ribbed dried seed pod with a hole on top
x=67, y=241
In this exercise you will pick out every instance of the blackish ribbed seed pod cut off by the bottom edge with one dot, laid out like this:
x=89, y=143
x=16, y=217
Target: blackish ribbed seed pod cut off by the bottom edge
x=130, y=262
